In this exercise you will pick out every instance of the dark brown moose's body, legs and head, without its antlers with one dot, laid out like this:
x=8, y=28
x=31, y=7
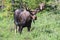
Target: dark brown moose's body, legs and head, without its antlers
x=23, y=18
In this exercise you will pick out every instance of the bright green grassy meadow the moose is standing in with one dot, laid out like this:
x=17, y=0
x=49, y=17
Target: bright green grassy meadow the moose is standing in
x=46, y=27
